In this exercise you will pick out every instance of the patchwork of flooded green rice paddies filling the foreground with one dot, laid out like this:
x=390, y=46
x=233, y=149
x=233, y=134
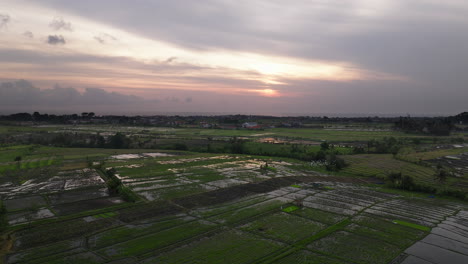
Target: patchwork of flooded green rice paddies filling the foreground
x=212, y=208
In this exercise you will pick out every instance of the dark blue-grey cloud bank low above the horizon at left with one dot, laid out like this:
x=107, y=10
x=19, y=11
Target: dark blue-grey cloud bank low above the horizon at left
x=22, y=93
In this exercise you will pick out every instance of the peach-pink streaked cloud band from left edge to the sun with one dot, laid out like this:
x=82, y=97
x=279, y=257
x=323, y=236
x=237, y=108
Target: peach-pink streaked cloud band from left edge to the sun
x=127, y=72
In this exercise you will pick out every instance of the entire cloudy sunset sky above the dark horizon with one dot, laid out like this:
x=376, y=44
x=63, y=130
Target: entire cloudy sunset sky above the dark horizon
x=269, y=57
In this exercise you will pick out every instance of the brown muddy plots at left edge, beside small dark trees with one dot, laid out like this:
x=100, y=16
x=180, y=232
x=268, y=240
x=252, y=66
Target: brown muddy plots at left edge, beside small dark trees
x=50, y=196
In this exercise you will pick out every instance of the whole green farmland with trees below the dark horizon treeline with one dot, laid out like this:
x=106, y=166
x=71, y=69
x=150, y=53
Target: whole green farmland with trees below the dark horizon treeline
x=238, y=196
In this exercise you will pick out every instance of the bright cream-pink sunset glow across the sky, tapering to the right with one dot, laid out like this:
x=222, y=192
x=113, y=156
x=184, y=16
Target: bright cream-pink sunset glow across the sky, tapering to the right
x=131, y=60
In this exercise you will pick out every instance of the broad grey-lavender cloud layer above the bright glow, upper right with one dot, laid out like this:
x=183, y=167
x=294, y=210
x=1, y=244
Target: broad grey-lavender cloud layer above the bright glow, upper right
x=418, y=39
